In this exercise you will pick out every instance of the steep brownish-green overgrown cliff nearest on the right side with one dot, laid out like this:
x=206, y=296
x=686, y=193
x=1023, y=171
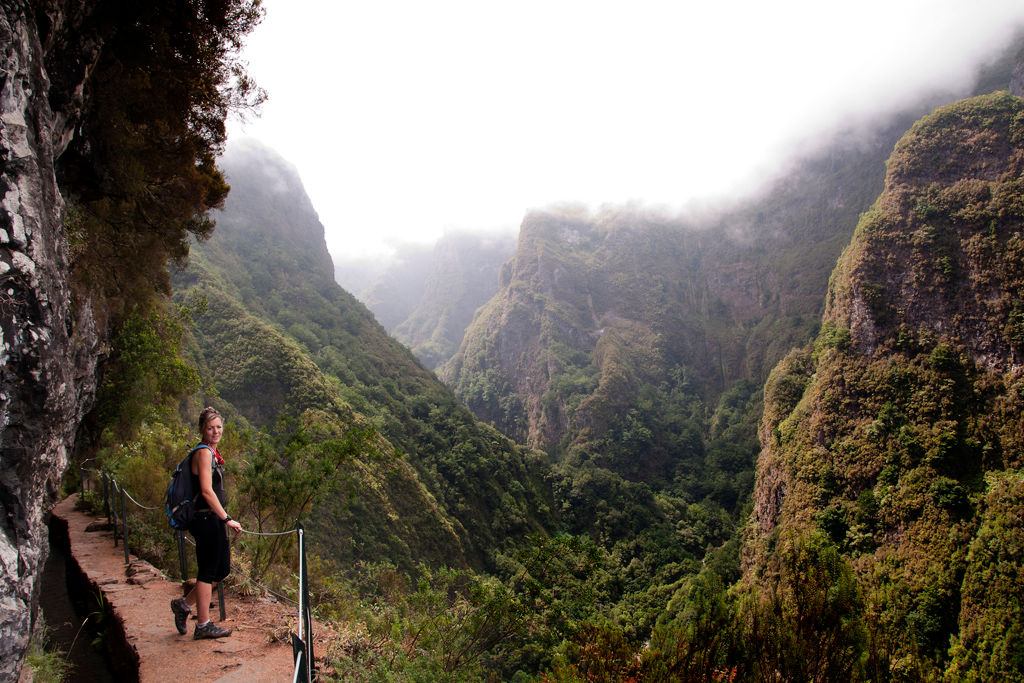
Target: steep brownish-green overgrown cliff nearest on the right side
x=898, y=436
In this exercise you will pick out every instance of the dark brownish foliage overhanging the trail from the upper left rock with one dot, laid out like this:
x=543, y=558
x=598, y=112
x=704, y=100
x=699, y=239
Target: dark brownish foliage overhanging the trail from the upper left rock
x=140, y=176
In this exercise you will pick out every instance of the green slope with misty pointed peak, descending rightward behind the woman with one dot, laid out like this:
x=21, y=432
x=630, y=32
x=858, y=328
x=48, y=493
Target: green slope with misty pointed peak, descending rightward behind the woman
x=281, y=338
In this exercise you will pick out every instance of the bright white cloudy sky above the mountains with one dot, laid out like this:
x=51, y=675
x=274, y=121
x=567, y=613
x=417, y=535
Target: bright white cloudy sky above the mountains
x=408, y=119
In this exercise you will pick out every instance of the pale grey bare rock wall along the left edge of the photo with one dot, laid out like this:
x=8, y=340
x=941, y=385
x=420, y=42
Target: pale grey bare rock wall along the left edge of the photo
x=50, y=345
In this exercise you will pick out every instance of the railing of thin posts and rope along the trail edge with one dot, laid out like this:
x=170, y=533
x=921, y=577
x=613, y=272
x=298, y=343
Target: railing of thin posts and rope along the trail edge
x=303, y=645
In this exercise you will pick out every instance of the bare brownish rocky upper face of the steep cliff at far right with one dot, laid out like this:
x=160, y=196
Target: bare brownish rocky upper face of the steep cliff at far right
x=942, y=250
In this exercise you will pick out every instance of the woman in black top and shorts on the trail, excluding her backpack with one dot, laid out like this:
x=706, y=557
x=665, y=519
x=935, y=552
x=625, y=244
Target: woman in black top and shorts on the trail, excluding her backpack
x=214, y=552
